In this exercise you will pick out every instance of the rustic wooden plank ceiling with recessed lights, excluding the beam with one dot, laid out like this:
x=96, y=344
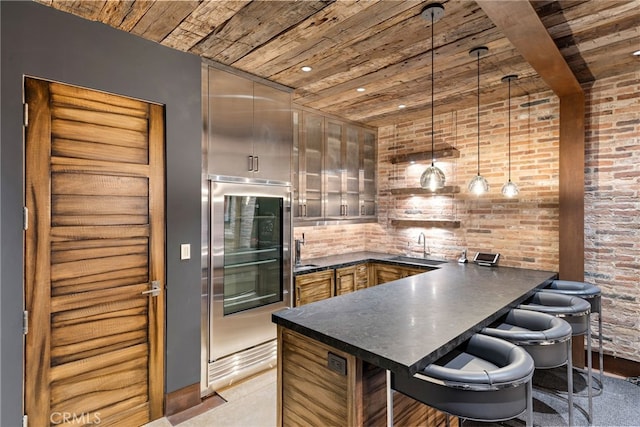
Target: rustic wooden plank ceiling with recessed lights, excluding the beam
x=380, y=45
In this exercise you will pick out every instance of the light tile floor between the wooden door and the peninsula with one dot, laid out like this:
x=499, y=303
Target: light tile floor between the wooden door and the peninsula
x=251, y=403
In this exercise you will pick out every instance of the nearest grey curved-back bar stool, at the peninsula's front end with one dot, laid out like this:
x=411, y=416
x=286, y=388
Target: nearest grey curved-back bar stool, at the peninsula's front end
x=485, y=379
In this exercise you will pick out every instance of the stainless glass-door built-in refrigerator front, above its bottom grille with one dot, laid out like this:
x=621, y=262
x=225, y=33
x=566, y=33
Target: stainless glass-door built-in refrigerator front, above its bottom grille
x=250, y=262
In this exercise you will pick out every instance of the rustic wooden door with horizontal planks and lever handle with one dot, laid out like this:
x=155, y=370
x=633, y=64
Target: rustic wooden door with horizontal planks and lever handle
x=94, y=242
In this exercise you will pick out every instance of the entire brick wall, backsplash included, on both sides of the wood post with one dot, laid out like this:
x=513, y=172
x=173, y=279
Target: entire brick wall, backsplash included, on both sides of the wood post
x=523, y=230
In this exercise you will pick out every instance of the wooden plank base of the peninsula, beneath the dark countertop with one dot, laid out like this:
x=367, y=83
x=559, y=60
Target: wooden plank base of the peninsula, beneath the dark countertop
x=319, y=385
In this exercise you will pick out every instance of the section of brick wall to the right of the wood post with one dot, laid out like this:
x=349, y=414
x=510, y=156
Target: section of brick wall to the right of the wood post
x=612, y=208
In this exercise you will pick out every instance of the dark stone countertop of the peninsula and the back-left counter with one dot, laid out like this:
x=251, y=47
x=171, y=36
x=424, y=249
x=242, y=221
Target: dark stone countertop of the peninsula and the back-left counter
x=408, y=323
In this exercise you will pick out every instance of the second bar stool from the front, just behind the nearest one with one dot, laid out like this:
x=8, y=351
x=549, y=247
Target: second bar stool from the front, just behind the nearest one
x=545, y=337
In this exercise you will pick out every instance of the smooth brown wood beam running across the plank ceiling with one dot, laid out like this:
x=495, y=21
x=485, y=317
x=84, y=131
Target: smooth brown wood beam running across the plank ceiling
x=520, y=23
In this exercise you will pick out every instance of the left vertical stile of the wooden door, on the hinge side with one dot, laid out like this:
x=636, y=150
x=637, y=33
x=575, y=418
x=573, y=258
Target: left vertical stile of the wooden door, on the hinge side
x=38, y=255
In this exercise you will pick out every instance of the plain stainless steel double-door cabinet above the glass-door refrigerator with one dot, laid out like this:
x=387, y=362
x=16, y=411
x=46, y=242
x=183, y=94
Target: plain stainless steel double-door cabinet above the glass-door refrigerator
x=249, y=127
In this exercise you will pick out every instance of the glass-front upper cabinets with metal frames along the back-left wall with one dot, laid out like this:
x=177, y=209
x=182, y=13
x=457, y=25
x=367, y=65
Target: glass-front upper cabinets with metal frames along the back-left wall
x=334, y=169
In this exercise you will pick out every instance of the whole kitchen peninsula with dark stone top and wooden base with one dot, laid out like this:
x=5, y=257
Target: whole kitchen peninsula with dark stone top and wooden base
x=333, y=354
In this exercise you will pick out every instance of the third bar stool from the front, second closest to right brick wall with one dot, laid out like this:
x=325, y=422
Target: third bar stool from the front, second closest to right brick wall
x=574, y=311
